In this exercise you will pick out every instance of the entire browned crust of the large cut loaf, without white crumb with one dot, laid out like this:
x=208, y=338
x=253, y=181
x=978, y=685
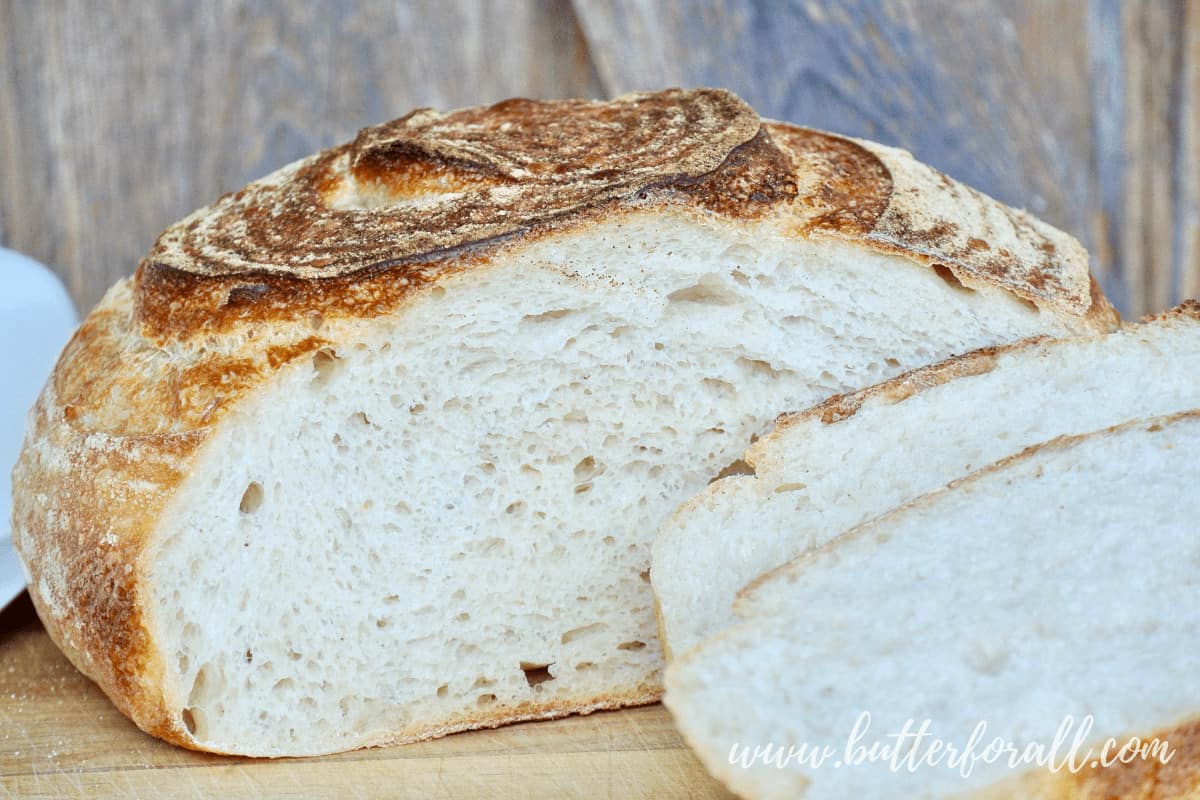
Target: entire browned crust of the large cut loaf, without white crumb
x=291, y=264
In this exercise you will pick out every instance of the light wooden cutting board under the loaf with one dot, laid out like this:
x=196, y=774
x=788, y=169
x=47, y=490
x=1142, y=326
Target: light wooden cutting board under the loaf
x=61, y=738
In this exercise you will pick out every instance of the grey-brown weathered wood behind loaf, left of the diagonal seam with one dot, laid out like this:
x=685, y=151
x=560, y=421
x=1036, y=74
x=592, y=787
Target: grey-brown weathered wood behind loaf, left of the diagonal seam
x=117, y=117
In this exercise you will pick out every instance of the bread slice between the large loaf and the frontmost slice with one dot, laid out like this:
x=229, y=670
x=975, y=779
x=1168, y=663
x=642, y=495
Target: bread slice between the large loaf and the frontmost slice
x=856, y=456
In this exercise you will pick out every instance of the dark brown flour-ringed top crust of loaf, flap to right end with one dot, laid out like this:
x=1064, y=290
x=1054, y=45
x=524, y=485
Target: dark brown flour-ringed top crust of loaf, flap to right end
x=352, y=230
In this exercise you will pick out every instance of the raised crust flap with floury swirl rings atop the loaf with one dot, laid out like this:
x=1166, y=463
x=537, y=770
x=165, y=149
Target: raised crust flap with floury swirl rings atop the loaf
x=430, y=183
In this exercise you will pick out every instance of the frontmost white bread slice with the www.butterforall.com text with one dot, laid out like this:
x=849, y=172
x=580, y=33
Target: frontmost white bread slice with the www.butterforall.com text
x=1059, y=582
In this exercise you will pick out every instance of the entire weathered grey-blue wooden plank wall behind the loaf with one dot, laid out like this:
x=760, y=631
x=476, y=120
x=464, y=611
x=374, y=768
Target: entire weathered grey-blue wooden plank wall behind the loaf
x=118, y=117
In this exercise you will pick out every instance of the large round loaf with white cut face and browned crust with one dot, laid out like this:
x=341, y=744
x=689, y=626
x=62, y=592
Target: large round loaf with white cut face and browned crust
x=374, y=449
